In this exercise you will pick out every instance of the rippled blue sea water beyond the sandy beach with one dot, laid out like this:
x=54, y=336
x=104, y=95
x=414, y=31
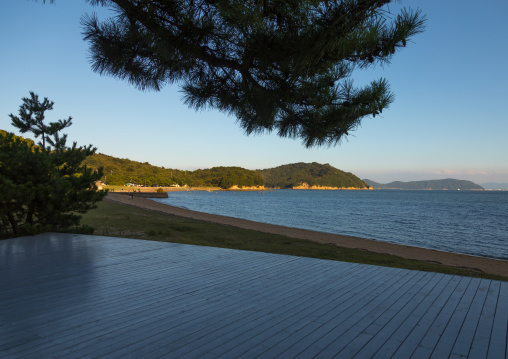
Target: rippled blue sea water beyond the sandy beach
x=469, y=222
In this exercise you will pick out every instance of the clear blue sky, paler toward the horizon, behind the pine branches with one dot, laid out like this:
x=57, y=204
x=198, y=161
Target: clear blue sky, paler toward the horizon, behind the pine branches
x=449, y=118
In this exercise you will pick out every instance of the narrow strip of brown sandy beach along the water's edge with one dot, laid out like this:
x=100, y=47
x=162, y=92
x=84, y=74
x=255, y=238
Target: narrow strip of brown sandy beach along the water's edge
x=486, y=265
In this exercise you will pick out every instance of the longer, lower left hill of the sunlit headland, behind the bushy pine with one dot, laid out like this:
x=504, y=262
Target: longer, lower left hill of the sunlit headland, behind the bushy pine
x=119, y=171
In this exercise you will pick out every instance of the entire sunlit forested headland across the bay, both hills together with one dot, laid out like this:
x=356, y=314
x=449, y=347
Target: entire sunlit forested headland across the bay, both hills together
x=296, y=176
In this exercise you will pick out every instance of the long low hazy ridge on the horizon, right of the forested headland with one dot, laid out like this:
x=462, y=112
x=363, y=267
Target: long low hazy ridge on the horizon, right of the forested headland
x=443, y=184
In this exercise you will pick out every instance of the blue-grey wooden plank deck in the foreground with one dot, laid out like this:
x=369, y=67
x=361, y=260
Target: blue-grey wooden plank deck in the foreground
x=75, y=296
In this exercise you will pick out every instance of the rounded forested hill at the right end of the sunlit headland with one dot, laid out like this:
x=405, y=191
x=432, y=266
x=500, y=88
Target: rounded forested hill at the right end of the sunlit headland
x=314, y=174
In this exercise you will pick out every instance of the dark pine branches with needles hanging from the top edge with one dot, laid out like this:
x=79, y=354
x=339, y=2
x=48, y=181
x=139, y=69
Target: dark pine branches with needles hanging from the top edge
x=283, y=66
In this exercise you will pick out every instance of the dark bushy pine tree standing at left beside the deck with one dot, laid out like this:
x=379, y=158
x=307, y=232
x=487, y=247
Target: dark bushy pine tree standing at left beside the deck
x=43, y=187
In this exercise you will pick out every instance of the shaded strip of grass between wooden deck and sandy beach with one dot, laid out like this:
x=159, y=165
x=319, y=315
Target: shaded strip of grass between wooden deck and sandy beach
x=116, y=220
